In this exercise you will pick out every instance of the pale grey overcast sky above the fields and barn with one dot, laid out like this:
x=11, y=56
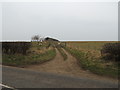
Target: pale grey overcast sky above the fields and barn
x=66, y=21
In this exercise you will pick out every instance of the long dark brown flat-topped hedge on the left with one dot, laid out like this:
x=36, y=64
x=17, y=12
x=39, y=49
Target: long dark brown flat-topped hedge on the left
x=15, y=47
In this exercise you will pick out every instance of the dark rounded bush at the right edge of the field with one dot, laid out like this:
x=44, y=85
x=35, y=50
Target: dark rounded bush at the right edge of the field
x=111, y=51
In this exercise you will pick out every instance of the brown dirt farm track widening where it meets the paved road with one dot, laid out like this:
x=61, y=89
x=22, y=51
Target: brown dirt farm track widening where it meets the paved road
x=67, y=67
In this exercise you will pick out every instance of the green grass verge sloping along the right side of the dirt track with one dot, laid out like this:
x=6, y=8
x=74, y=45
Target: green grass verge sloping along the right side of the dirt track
x=95, y=66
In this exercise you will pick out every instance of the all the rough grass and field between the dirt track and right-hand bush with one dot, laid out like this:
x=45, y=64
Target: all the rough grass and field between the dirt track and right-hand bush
x=92, y=61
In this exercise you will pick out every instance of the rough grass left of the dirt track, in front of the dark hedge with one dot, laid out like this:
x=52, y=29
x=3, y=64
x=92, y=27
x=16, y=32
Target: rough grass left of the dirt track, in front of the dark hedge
x=34, y=56
